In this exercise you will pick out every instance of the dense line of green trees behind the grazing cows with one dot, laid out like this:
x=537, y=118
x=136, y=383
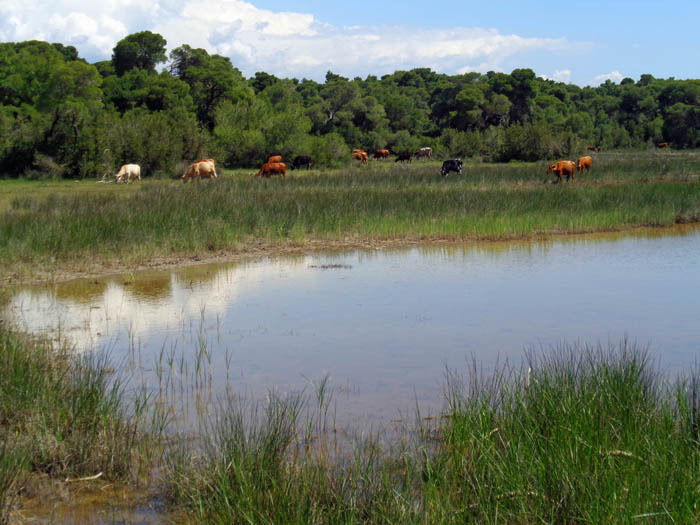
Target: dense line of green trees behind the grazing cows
x=63, y=117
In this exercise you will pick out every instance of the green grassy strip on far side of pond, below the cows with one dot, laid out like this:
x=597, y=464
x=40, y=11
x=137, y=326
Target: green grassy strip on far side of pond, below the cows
x=49, y=226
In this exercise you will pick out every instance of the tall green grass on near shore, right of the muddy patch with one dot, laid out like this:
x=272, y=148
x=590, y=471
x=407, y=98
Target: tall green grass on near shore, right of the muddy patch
x=581, y=435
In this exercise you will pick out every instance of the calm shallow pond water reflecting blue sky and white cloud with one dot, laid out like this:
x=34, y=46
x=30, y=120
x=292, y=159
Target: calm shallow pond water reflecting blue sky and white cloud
x=385, y=324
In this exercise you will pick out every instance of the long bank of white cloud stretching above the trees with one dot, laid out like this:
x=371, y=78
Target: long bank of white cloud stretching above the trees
x=282, y=43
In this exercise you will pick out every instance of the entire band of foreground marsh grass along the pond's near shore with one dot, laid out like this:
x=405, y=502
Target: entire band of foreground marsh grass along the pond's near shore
x=575, y=434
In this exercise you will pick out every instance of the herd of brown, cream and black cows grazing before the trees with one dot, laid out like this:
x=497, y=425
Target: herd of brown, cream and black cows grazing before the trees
x=206, y=168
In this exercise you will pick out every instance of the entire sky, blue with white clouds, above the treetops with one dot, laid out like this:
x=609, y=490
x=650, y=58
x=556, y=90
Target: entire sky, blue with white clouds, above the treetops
x=583, y=43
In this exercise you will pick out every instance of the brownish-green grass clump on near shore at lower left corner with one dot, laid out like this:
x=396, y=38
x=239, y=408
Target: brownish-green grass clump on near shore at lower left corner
x=65, y=418
